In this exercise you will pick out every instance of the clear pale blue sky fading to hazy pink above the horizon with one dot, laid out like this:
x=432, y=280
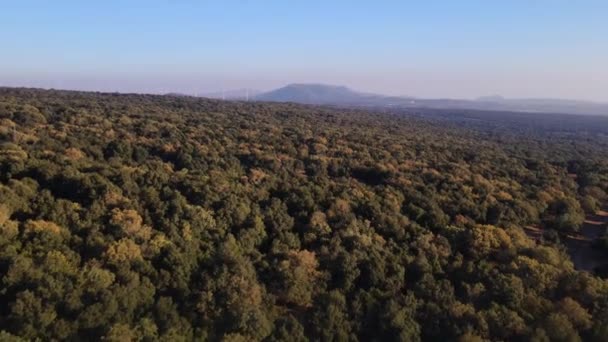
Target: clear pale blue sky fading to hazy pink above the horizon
x=432, y=49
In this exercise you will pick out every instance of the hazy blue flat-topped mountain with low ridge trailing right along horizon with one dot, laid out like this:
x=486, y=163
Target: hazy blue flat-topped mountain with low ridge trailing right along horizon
x=323, y=94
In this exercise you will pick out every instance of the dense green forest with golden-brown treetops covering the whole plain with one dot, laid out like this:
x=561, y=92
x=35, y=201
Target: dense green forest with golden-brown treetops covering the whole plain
x=160, y=218
